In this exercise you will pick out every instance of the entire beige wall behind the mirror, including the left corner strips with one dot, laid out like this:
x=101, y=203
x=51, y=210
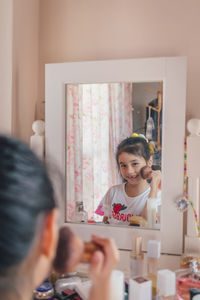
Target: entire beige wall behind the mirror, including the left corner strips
x=35, y=32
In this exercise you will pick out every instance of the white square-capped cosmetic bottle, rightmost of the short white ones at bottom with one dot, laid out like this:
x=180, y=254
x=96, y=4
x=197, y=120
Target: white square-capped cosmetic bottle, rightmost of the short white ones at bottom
x=166, y=285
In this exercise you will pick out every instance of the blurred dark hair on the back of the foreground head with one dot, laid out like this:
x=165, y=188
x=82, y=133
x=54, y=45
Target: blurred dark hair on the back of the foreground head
x=25, y=193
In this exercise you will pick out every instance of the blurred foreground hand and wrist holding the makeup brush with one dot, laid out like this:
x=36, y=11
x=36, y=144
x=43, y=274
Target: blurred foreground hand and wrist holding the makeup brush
x=101, y=266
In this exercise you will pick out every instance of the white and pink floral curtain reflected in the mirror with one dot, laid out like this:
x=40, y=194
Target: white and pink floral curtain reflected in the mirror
x=99, y=116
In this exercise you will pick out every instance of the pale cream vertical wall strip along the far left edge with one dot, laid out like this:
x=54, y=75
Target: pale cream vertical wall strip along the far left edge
x=6, y=21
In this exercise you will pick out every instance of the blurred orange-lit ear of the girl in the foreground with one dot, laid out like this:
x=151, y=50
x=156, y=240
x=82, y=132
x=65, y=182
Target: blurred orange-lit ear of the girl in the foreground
x=50, y=234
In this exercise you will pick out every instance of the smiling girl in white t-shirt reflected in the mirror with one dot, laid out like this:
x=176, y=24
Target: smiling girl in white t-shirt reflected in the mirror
x=130, y=198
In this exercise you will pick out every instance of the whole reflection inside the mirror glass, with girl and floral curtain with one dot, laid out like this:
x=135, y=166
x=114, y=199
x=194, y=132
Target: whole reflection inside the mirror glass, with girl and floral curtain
x=99, y=188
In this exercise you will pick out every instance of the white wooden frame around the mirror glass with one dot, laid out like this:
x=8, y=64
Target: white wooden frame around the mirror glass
x=170, y=70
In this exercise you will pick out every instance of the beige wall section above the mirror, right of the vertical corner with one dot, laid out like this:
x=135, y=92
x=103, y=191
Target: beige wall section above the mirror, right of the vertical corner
x=76, y=30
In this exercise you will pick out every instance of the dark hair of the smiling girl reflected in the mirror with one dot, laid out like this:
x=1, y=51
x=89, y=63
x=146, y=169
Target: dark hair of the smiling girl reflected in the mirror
x=134, y=145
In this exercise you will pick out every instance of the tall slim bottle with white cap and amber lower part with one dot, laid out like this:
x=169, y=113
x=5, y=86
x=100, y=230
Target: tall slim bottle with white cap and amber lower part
x=153, y=255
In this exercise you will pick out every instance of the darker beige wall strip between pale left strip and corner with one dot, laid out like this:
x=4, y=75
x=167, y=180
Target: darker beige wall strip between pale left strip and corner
x=25, y=65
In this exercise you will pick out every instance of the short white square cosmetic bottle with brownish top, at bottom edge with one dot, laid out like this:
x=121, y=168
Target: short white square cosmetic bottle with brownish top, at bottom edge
x=140, y=288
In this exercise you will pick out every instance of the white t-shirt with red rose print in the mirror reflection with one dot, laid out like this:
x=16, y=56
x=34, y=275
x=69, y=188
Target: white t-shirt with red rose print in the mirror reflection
x=118, y=206
